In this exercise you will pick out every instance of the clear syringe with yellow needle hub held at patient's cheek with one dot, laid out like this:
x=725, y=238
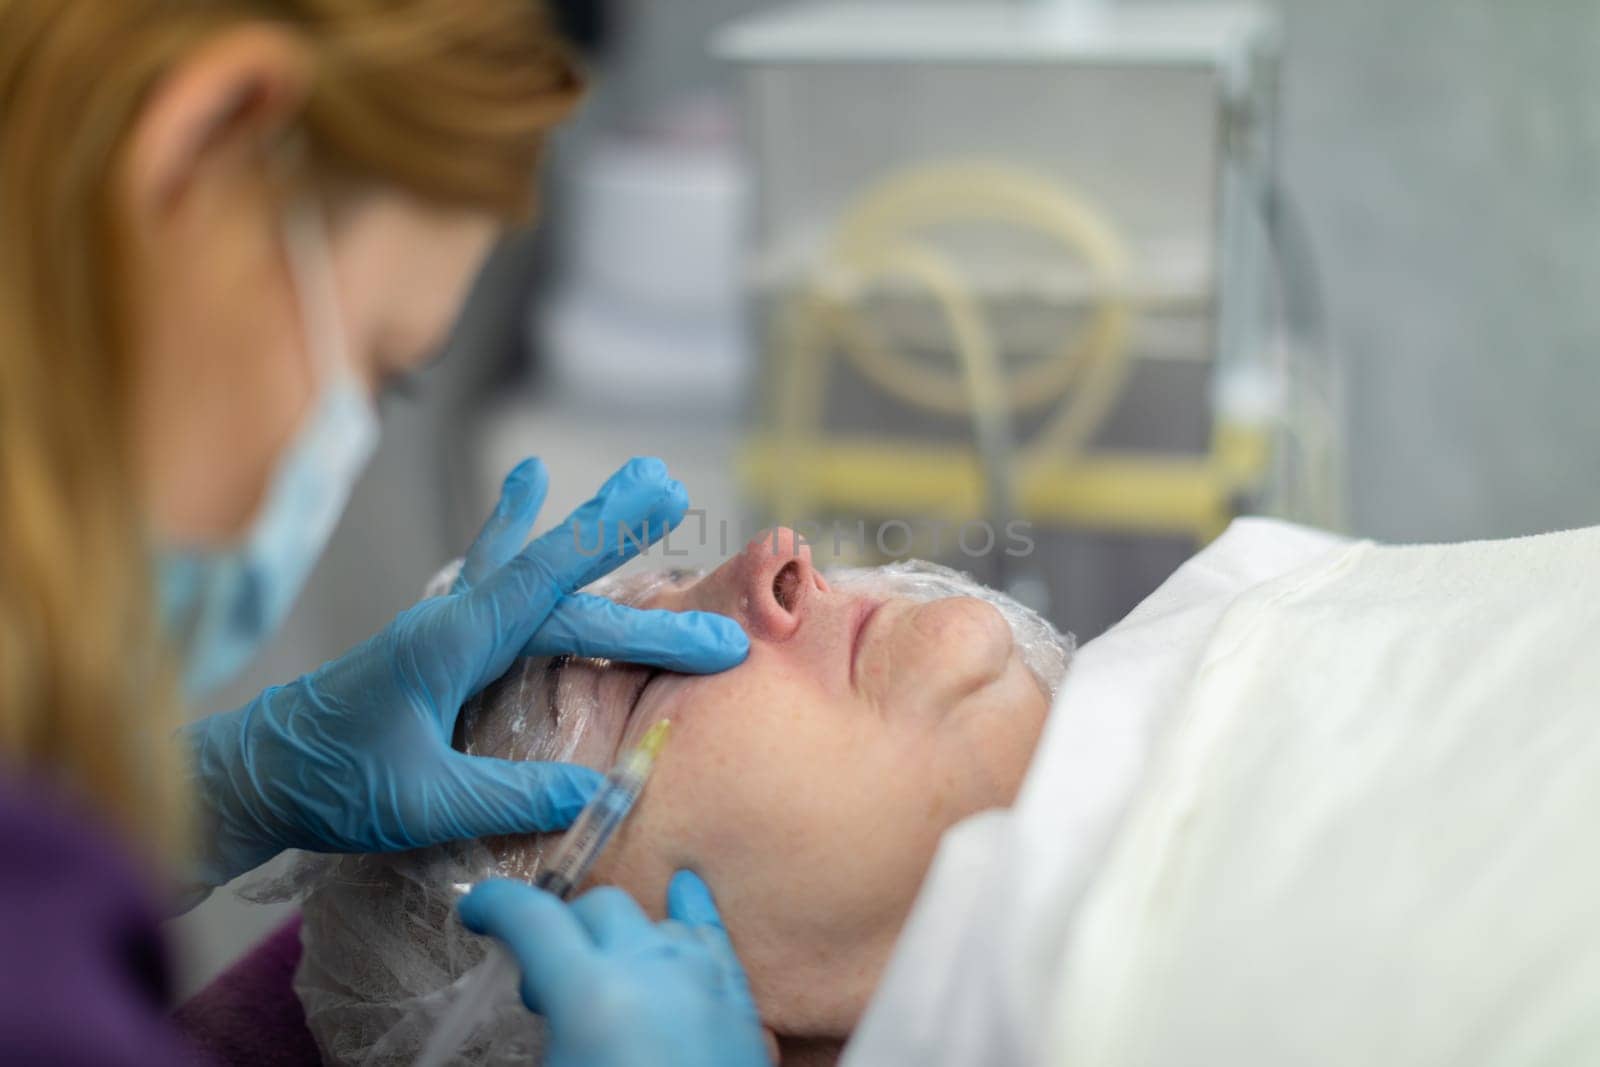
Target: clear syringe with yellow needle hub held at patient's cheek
x=561, y=876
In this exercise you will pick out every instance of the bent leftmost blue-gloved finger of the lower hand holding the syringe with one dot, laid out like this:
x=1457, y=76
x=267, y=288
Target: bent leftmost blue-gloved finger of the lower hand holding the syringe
x=551, y=946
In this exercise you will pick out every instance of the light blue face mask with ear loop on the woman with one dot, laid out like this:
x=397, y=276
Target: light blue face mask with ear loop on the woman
x=220, y=605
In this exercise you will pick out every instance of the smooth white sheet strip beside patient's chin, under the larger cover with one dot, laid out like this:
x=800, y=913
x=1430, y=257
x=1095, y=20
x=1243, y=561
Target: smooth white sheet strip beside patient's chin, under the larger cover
x=972, y=975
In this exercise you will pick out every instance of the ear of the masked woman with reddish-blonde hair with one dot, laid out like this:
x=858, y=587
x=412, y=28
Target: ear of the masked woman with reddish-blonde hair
x=214, y=113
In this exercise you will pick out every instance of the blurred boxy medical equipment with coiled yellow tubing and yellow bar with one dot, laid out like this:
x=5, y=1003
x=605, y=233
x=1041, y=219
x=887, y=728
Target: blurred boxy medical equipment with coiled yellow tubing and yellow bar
x=1025, y=262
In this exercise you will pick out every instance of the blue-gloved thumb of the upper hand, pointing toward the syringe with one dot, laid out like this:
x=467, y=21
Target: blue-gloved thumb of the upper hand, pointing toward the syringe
x=497, y=797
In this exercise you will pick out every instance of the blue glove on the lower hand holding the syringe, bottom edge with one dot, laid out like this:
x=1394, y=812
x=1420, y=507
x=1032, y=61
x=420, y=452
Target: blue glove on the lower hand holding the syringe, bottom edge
x=620, y=991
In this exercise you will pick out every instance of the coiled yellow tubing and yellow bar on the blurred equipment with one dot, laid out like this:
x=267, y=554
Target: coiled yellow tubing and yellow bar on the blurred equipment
x=879, y=238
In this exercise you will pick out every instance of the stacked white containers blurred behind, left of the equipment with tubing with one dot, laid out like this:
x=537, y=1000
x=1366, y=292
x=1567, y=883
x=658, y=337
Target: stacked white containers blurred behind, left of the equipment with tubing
x=646, y=308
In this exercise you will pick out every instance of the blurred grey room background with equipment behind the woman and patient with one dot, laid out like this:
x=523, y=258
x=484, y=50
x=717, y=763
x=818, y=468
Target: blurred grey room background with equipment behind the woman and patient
x=1118, y=271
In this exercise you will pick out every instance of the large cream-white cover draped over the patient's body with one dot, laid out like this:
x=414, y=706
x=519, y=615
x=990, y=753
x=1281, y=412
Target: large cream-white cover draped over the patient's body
x=1372, y=836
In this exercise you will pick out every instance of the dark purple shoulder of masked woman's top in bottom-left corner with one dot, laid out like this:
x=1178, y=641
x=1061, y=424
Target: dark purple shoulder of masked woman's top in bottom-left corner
x=84, y=975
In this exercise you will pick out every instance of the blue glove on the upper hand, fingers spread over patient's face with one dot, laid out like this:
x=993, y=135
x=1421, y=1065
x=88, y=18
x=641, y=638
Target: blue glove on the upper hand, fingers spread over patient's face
x=356, y=756
